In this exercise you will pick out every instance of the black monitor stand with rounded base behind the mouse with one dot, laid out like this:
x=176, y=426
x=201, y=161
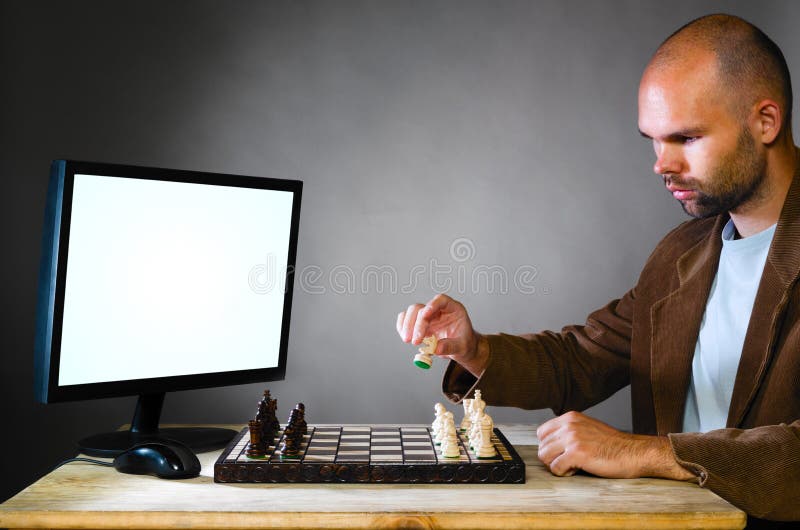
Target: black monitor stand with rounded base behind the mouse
x=144, y=428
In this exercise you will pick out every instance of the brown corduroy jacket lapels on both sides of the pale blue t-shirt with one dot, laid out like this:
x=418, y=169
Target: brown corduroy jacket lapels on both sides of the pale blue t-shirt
x=676, y=318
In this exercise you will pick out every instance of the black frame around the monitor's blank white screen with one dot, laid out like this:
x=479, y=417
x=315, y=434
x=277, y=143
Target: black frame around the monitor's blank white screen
x=52, y=282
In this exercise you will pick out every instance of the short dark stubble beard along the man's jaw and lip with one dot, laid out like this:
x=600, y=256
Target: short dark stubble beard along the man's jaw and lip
x=733, y=182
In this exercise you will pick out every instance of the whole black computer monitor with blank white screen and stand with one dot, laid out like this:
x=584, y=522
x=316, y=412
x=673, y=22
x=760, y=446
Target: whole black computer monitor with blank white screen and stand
x=158, y=280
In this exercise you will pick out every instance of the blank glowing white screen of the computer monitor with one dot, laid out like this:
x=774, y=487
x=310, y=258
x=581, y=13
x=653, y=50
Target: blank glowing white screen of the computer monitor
x=158, y=279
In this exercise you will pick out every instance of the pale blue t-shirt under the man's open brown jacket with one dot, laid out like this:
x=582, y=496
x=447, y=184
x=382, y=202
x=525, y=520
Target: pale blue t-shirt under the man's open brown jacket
x=723, y=328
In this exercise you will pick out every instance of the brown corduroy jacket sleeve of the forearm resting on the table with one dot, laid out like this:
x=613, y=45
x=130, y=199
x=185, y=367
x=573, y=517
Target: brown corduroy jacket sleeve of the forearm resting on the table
x=756, y=470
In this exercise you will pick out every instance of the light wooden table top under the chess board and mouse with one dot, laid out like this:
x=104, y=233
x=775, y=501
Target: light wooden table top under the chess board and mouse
x=82, y=495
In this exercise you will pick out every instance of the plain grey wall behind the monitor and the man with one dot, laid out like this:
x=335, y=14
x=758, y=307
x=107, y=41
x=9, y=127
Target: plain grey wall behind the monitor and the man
x=508, y=127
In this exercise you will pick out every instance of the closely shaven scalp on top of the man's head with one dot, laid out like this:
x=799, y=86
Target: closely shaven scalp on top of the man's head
x=749, y=66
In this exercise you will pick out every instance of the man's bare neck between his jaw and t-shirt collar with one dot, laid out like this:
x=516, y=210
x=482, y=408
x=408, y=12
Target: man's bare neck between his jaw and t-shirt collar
x=752, y=219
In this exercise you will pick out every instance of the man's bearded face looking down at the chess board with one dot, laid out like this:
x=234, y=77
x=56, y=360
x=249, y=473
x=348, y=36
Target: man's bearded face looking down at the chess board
x=705, y=153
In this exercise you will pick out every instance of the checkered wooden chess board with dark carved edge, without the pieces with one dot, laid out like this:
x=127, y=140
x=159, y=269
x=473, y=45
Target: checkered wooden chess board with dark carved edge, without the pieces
x=370, y=454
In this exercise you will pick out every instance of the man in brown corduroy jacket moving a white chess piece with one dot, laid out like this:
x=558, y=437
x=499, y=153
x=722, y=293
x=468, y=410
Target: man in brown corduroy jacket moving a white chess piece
x=709, y=338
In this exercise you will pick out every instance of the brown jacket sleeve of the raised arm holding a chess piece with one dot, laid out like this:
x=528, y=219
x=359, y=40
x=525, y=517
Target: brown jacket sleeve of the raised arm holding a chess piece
x=570, y=370
